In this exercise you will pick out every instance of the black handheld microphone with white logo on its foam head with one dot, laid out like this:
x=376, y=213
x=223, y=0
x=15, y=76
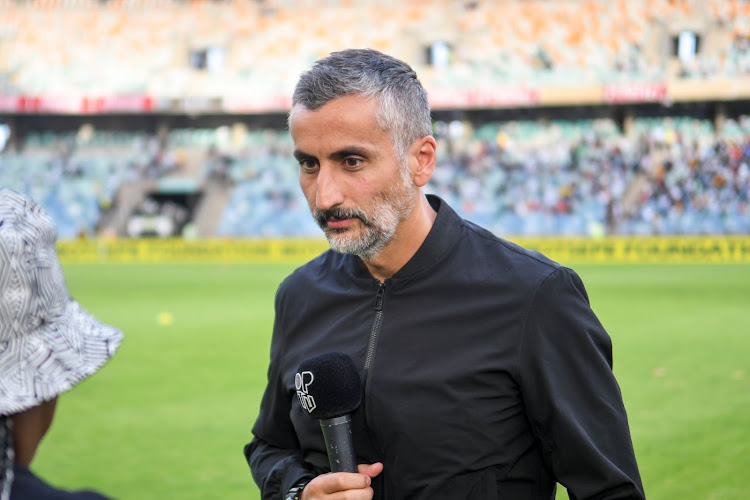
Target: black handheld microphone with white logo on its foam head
x=329, y=388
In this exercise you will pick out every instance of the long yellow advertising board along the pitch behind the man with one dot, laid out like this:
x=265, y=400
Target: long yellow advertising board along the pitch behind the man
x=667, y=249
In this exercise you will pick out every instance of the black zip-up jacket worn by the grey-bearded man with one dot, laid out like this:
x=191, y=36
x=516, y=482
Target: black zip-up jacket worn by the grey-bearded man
x=486, y=375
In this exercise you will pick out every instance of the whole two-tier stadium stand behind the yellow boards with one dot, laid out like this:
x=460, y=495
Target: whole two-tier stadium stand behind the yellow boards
x=222, y=66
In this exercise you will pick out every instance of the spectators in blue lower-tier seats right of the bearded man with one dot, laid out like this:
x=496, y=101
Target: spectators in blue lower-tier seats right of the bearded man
x=667, y=176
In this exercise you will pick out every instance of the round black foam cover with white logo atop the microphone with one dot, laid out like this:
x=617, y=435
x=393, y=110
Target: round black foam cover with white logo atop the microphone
x=328, y=385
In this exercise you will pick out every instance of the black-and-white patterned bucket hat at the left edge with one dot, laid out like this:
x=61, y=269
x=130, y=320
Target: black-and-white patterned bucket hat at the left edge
x=48, y=343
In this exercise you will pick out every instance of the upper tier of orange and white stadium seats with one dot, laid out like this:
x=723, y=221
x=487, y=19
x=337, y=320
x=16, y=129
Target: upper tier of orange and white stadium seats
x=236, y=48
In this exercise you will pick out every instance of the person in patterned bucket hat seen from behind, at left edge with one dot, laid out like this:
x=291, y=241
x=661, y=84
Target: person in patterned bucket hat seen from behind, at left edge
x=48, y=343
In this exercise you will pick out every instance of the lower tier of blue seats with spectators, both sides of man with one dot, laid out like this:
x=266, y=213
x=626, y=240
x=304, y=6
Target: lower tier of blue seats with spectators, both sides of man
x=677, y=175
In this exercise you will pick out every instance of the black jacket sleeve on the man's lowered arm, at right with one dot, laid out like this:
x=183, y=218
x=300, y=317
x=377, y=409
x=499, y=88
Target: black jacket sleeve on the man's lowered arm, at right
x=572, y=398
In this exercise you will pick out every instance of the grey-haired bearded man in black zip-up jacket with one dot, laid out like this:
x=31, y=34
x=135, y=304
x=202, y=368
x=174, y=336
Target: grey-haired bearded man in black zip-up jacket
x=485, y=373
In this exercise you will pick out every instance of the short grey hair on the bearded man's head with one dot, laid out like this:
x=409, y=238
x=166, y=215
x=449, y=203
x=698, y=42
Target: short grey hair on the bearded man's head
x=403, y=109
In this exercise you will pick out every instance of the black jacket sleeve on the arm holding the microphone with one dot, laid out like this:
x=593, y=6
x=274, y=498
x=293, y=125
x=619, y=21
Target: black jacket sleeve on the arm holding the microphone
x=274, y=454
